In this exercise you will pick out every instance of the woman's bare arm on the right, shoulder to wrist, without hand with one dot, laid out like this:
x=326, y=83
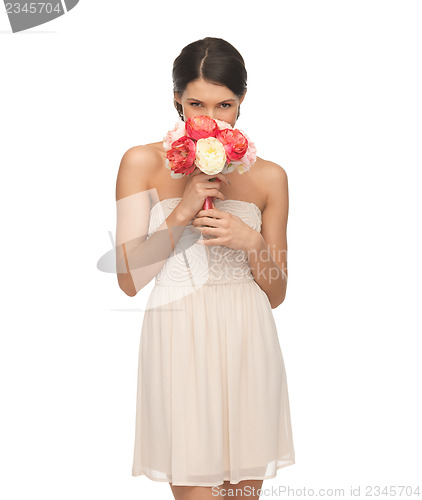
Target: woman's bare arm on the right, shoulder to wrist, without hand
x=268, y=256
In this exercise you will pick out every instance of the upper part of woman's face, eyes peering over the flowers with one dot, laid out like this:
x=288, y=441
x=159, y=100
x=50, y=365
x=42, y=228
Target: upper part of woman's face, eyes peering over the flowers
x=203, y=98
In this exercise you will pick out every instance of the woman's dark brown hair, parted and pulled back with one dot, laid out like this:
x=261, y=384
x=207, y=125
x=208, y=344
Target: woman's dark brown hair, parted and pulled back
x=212, y=59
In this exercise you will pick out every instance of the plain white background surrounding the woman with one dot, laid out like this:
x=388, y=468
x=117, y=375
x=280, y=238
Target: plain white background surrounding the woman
x=334, y=97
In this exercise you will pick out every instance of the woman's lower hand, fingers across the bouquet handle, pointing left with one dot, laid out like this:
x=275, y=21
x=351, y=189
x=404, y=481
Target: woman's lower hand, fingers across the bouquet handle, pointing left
x=227, y=229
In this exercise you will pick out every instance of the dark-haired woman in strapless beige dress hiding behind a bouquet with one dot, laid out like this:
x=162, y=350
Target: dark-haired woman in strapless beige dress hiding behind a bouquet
x=212, y=403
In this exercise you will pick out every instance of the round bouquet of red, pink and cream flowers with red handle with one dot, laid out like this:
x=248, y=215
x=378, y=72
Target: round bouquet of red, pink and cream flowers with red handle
x=213, y=146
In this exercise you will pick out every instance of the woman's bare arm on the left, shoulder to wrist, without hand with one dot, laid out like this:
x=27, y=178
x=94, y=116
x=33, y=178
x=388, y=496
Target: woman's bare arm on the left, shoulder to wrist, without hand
x=138, y=258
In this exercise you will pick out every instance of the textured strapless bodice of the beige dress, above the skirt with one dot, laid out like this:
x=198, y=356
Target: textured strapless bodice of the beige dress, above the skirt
x=196, y=265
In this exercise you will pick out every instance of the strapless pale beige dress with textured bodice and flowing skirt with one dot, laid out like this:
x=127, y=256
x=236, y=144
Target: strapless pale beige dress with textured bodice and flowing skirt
x=212, y=398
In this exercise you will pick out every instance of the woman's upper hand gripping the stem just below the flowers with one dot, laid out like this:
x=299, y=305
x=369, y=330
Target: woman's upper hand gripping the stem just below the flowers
x=197, y=188
